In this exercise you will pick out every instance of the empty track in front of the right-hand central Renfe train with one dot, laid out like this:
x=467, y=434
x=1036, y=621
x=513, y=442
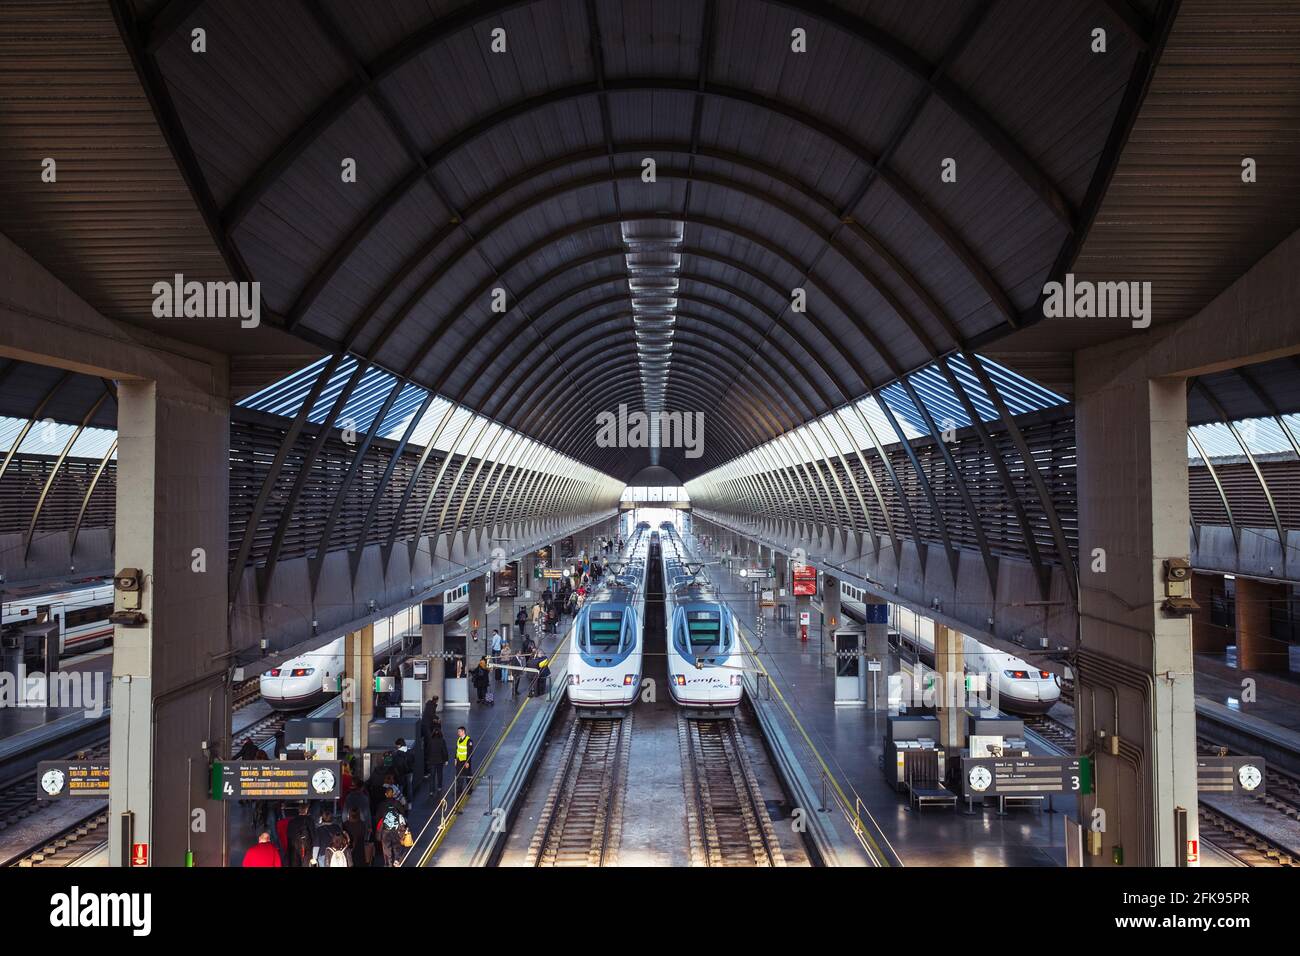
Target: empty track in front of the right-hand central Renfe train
x=727, y=820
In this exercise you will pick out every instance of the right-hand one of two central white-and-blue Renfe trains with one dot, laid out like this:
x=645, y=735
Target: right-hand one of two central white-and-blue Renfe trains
x=704, y=638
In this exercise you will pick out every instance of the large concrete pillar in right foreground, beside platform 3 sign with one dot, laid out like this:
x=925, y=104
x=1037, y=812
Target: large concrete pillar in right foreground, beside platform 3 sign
x=1136, y=704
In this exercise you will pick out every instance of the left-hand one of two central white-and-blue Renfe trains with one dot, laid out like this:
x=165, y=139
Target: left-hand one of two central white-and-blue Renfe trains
x=605, y=647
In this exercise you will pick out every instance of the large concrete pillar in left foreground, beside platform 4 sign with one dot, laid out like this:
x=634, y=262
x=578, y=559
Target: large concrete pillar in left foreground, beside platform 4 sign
x=171, y=711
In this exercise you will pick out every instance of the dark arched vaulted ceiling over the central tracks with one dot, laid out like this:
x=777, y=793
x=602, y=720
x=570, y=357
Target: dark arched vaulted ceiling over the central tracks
x=525, y=171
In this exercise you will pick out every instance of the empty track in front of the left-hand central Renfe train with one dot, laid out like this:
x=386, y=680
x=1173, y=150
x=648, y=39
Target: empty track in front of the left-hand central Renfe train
x=582, y=820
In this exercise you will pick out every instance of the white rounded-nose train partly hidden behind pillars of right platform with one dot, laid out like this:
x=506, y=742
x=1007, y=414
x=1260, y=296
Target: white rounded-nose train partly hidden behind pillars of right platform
x=1021, y=687
